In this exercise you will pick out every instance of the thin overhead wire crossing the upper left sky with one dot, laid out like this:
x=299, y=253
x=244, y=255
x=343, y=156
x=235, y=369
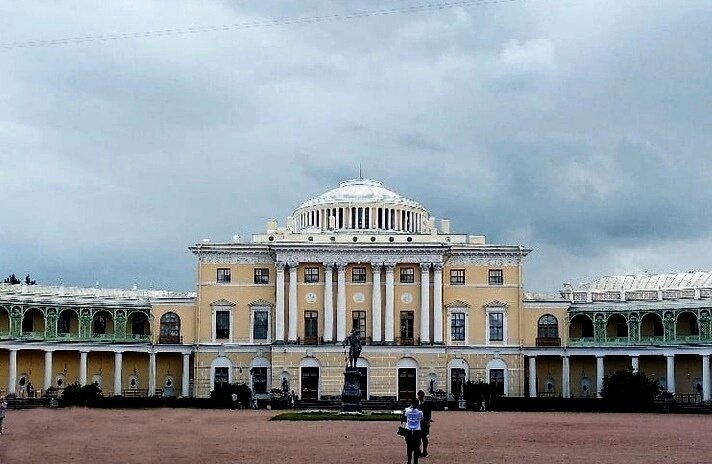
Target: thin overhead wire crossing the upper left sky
x=252, y=25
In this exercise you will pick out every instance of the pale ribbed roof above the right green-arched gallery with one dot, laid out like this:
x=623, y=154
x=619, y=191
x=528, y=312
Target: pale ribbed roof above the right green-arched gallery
x=680, y=280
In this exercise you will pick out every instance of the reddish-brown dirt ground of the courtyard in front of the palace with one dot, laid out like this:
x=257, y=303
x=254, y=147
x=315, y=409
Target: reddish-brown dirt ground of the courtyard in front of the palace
x=79, y=435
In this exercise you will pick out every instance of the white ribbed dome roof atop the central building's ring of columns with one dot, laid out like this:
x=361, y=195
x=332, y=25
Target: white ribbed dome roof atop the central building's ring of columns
x=360, y=191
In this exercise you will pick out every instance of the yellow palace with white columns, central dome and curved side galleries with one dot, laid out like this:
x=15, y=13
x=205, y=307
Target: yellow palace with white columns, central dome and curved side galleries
x=433, y=308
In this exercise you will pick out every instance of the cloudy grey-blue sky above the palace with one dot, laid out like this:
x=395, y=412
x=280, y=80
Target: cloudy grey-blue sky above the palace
x=581, y=129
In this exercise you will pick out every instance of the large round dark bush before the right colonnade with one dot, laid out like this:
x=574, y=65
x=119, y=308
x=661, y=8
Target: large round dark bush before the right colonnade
x=629, y=391
